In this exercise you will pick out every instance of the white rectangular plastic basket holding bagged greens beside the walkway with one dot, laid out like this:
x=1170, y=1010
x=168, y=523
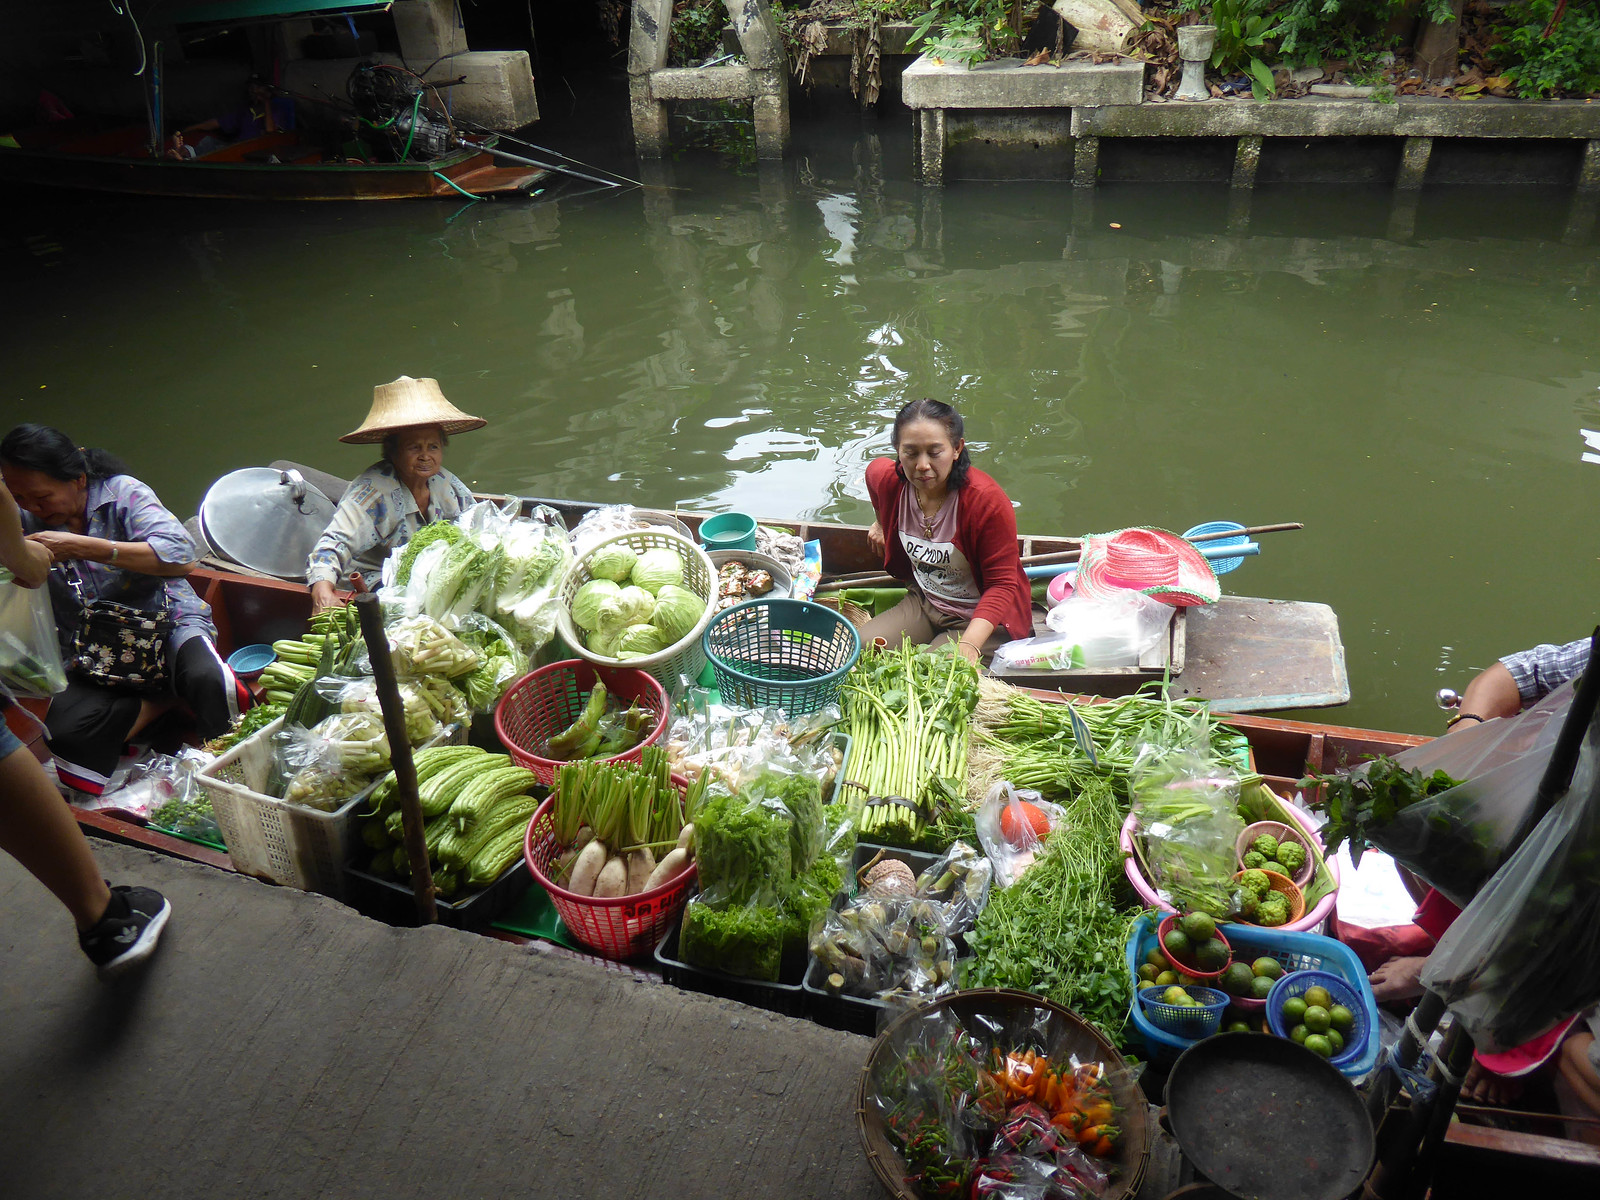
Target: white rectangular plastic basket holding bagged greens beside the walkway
x=276, y=841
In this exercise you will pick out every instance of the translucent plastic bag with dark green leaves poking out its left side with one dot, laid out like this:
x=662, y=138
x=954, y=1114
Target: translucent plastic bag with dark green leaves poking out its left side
x=1460, y=838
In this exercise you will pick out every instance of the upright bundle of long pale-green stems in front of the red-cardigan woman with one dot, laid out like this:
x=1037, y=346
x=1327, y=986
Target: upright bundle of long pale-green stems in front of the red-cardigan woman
x=908, y=713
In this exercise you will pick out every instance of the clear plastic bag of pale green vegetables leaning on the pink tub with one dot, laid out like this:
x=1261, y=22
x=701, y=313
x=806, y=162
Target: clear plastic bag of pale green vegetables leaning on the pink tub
x=1190, y=825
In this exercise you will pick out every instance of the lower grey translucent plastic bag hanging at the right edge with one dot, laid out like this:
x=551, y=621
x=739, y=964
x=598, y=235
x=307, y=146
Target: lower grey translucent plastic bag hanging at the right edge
x=1524, y=954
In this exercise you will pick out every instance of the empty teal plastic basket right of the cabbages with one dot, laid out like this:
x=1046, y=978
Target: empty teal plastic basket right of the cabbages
x=783, y=654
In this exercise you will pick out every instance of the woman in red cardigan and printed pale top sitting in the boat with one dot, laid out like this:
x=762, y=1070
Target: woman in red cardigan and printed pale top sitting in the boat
x=950, y=532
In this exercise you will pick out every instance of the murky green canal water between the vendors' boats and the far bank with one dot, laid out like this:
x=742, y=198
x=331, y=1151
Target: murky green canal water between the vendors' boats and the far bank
x=1412, y=385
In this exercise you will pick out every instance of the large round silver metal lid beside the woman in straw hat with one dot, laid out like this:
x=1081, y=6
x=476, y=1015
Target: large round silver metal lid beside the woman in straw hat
x=266, y=519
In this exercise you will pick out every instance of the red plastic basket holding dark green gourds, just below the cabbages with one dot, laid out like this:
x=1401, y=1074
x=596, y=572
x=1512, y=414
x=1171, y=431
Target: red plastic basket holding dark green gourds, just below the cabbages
x=546, y=702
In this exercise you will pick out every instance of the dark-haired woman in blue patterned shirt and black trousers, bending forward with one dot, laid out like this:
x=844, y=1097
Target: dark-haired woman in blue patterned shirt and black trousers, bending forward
x=110, y=538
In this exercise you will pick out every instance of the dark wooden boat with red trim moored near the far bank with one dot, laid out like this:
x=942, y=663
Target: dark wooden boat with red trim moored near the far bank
x=271, y=167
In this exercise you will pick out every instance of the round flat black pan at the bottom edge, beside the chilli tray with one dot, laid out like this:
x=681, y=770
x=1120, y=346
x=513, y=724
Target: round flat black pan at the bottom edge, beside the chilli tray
x=1266, y=1119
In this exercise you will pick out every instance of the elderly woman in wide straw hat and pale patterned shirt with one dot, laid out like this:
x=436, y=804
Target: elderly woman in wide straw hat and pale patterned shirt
x=398, y=495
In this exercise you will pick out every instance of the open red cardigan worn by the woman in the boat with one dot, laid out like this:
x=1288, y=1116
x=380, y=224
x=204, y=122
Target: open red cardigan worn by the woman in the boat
x=985, y=532
